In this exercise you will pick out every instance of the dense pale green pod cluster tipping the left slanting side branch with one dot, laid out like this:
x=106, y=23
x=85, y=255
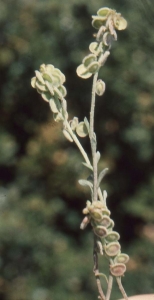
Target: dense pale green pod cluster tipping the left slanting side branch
x=49, y=83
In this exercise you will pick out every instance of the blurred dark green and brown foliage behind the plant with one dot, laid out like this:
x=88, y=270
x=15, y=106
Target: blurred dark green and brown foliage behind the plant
x=43, y=253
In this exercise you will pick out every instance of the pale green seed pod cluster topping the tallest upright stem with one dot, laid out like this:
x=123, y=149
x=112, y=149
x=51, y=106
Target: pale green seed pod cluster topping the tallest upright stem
x=106, y=22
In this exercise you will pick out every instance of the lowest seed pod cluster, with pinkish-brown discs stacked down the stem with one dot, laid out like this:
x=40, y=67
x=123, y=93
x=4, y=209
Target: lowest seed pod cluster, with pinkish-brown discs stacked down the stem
x=99, y=217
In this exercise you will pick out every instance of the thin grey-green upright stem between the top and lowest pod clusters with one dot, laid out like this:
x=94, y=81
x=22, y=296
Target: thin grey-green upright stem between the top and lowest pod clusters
x=92, y=137
